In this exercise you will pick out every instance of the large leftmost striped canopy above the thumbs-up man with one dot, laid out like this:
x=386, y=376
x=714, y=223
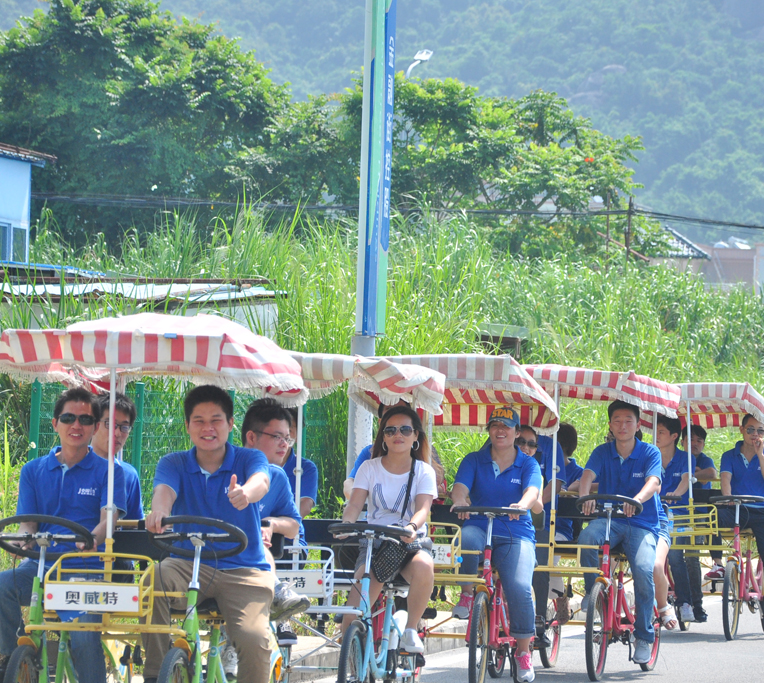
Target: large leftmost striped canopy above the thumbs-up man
x=204, y=349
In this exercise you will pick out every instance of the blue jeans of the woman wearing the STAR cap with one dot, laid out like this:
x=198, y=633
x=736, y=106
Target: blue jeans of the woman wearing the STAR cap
x=515, y=560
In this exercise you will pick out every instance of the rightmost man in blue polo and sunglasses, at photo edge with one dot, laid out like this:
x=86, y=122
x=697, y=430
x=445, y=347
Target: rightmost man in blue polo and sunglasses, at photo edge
x=742, y=474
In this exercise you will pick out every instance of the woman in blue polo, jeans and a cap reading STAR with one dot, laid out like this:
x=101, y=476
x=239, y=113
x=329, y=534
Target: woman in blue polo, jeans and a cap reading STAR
x=501, y=475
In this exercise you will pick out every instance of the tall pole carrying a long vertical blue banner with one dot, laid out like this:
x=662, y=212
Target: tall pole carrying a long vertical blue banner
x=374, y=198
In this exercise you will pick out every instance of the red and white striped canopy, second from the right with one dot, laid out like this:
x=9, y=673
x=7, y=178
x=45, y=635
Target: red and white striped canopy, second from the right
x=646, y=393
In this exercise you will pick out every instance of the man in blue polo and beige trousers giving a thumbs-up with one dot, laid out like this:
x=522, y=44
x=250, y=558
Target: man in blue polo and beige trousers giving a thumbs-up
x=215, y=479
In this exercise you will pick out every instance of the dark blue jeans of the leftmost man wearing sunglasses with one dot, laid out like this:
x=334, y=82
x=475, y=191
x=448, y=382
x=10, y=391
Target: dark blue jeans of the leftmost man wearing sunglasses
x=15, y=591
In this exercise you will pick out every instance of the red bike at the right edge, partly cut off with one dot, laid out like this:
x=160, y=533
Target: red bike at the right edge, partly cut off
x=740, y=566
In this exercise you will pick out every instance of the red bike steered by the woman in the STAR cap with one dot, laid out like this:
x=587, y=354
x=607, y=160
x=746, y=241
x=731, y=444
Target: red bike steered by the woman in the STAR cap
x=488, y=639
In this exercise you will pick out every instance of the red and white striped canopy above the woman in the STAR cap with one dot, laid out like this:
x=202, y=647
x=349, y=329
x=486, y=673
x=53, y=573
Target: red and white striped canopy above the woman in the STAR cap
x=475, y=384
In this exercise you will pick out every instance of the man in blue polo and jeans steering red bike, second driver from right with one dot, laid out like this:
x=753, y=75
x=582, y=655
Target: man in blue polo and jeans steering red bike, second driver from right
x=627, y=467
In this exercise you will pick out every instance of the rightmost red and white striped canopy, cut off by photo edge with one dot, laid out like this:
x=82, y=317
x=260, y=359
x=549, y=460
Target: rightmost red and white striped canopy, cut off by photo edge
x=720, y=404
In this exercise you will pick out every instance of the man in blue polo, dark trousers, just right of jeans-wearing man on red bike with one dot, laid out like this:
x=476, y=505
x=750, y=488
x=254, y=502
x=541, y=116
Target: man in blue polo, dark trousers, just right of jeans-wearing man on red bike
x=675, y=481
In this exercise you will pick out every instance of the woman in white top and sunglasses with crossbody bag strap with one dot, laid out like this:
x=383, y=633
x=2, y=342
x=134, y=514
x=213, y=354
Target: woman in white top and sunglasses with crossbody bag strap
x=381, y=483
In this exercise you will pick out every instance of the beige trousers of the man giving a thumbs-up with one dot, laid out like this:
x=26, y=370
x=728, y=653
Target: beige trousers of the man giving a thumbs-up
x=244, y=598
